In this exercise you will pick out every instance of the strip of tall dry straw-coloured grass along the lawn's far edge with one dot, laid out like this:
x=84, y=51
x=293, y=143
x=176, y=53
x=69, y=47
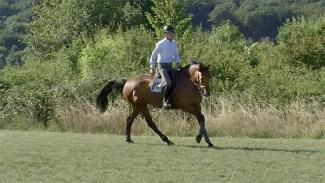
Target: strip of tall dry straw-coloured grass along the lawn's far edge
x=225, y=116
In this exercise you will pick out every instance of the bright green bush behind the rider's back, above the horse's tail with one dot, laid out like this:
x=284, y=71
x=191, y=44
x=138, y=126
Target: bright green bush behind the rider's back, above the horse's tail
x=114, y=56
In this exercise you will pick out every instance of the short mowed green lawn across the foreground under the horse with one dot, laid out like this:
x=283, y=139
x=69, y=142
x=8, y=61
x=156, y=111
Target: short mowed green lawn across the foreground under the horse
x=37, y=156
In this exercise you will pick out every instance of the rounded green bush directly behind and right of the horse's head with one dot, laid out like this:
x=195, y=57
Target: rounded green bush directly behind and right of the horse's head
x=224, y=49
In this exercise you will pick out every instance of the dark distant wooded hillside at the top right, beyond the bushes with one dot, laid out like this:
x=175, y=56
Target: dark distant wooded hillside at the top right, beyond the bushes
x=255, y=18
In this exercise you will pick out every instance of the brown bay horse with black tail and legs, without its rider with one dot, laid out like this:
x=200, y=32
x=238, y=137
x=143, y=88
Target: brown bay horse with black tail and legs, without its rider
x=193, y=81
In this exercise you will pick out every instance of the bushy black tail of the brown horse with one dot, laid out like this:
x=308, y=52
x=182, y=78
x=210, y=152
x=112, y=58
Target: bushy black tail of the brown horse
x=101, y=100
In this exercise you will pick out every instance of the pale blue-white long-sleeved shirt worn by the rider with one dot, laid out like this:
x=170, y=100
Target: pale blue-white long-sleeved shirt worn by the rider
x=166, y=51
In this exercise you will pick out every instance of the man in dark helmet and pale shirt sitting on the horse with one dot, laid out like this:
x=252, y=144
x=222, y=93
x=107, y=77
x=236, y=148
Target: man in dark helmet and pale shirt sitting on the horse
x=166, y=52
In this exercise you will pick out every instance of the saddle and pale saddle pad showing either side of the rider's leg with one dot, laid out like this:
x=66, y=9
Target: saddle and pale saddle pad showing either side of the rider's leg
x=158, y=84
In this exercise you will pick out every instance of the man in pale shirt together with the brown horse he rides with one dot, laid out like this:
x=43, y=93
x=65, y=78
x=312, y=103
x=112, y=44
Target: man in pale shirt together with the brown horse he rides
x=193, y=80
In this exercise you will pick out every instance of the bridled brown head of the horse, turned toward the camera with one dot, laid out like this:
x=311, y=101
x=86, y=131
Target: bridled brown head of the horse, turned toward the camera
x=200, y=76
